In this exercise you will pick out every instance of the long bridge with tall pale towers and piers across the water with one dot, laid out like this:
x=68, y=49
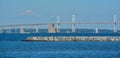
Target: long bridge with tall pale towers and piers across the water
x=51, y=28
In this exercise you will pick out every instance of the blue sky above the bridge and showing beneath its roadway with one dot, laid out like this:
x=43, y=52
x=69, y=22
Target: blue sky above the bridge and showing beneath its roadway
x=37, y=11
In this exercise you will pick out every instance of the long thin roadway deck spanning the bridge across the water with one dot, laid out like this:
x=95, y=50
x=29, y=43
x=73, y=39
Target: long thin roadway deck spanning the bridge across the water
x=19, y=25
